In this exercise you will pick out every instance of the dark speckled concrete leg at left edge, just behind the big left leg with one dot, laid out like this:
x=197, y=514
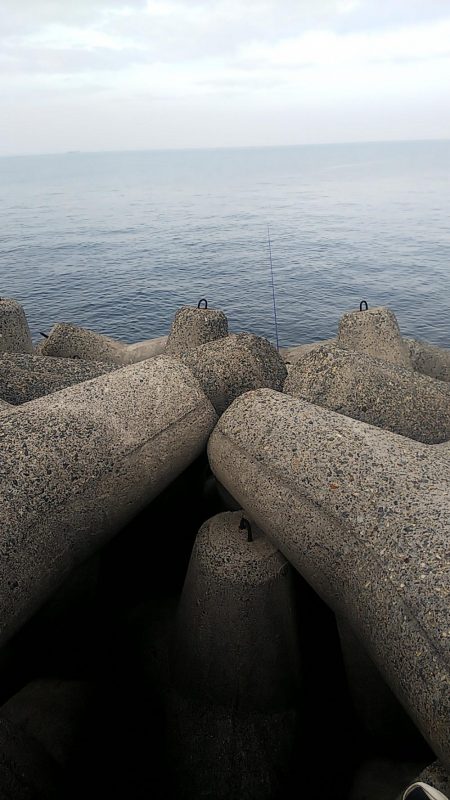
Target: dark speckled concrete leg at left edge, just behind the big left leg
x=25, y=377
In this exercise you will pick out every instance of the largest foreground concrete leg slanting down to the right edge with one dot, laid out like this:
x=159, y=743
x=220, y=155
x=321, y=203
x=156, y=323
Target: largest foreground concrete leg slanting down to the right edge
x=364, y=515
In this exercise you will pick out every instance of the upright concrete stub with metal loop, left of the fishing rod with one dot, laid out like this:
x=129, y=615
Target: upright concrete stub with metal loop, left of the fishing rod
x=192, y=327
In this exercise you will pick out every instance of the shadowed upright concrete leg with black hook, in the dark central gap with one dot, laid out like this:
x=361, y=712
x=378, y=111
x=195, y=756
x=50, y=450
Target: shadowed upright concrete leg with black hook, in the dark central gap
x=234, y=666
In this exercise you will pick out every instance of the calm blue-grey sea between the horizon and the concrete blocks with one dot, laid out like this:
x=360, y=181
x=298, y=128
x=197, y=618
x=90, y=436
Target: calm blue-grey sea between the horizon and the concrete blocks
x=118, y=241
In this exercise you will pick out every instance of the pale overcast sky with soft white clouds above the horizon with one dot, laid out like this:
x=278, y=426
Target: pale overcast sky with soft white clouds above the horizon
x=139, y=74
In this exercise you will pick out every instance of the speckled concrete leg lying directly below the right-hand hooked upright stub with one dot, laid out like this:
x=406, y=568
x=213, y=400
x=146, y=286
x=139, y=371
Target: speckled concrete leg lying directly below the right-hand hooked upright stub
x=373, y=391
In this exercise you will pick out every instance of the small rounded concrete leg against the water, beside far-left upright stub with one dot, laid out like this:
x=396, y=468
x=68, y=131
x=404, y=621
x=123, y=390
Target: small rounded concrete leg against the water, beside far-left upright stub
x=69, y=341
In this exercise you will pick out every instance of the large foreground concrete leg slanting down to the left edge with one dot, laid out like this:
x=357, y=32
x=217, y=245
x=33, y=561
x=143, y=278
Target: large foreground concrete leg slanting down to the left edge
x=78, y=464
